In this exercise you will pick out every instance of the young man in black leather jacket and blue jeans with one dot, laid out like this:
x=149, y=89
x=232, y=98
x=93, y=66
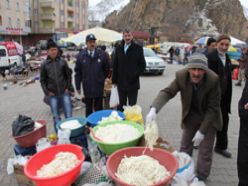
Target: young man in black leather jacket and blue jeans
x=56, y=82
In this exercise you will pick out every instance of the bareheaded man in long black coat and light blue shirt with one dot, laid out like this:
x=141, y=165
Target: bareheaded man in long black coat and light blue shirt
x=128, y=64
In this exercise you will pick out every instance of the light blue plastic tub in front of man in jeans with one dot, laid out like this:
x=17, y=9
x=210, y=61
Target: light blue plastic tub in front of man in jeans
x=75, y=132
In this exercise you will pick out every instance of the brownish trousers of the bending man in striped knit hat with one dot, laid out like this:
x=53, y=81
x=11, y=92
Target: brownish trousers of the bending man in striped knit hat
x=205, y=154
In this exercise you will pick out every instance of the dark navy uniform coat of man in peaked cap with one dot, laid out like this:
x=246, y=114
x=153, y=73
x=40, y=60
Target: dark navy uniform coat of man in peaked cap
x=91, y=72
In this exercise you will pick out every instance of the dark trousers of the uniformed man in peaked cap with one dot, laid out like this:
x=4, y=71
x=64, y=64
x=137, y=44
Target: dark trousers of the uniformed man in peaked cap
x=93, y=104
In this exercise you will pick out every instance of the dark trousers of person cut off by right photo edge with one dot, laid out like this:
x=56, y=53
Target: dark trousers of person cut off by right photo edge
x=243, y=153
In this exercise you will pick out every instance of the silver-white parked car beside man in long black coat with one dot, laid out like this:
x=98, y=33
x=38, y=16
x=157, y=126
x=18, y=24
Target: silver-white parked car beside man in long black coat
x=154, y=64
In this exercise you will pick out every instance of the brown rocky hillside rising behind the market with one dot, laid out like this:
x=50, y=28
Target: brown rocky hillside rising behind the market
x=182, y=20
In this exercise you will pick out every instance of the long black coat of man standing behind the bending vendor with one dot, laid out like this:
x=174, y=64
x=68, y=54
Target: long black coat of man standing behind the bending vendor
x=215, y=64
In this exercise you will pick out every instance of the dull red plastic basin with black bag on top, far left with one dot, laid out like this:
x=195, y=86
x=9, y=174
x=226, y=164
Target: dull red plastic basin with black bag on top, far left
x=31, y=138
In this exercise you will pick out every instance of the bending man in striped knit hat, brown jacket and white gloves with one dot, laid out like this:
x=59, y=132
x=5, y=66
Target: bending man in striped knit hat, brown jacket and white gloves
x=201, y=115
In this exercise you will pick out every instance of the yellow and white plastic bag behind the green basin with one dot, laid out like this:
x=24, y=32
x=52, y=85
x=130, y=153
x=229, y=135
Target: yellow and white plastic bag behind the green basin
x=134, y=113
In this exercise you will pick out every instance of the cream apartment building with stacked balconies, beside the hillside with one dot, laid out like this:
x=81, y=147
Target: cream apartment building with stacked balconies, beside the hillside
x=56, y=18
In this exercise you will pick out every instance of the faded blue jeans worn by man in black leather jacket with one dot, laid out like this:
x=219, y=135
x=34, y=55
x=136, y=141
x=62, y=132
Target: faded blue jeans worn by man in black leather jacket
x=60, y=102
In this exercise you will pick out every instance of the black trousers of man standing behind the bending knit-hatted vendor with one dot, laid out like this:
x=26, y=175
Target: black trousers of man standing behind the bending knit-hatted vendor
x=221, y=137
